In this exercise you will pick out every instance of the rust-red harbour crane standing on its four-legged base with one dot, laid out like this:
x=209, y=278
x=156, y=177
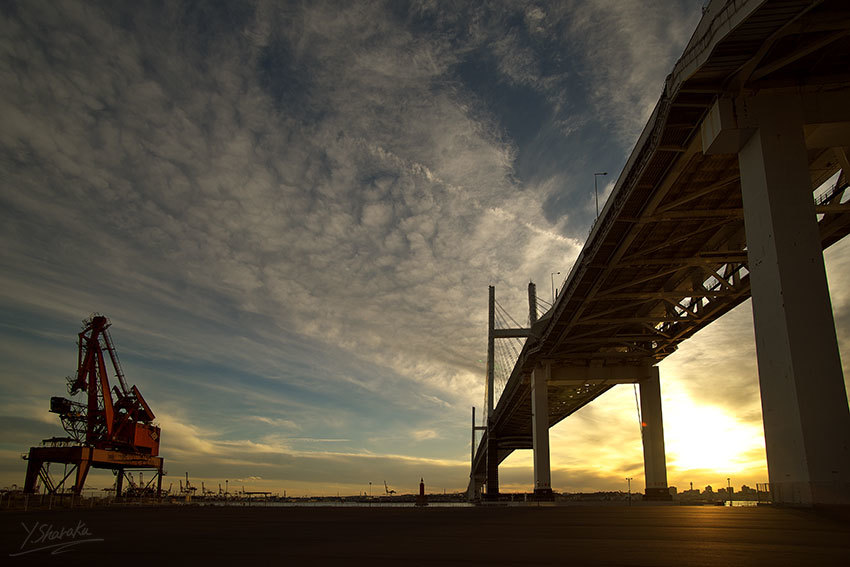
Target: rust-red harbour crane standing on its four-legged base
x=116, y=433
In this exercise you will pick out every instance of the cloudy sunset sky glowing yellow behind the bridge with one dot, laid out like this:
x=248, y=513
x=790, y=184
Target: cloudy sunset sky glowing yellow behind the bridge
x=291, y=212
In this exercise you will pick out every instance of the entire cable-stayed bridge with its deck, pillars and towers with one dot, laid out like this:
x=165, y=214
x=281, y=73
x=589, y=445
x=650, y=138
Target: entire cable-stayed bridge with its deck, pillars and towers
x=734, y=188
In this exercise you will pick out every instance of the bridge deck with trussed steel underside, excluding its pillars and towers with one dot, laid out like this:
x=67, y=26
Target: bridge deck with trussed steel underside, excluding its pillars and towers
x=668, y=254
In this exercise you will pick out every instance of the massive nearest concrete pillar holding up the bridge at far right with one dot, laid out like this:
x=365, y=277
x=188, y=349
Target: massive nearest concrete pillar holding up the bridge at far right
x=804, y=402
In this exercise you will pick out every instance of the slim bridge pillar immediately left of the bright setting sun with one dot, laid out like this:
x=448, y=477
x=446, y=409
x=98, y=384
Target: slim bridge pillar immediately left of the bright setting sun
x=652, y=430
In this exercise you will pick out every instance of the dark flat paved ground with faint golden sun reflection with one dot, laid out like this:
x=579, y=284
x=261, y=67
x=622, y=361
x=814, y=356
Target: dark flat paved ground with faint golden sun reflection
x=580, y=535
